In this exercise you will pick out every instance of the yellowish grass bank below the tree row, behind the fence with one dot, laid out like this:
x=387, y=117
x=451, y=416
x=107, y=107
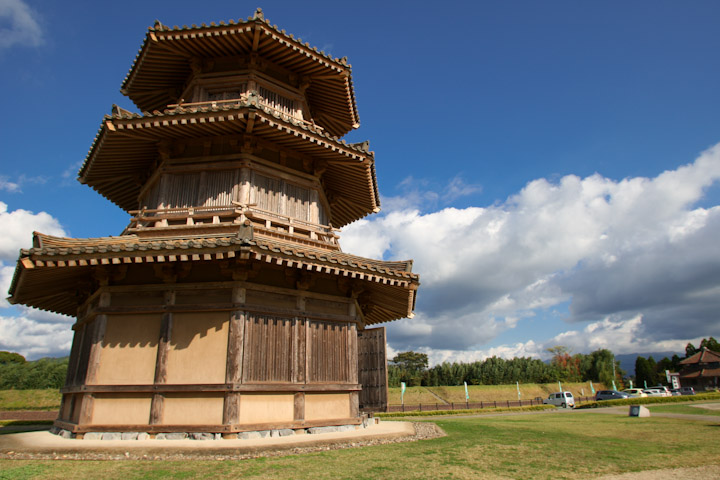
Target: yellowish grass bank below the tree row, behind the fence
x=485, y=393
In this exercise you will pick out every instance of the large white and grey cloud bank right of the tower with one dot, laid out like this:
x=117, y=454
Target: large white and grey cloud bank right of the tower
x=634, y=256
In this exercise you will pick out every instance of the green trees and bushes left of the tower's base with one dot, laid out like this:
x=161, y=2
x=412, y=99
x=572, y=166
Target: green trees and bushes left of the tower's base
x=16, y=373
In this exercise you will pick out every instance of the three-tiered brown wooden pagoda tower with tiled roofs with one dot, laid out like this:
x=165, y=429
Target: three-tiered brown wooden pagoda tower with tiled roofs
x=226, y=305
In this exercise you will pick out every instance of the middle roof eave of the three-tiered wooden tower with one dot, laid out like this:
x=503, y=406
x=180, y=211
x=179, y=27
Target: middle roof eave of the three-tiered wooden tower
x=125, y=150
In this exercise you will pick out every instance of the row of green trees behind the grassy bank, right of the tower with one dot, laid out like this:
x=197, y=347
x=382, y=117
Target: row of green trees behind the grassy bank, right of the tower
x=599, y=366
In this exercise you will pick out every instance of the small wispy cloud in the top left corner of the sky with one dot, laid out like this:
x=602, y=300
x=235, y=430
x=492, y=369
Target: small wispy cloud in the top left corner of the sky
x=19, y=25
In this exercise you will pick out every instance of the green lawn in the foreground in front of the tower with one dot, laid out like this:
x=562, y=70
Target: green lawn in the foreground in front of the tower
x=571, y=445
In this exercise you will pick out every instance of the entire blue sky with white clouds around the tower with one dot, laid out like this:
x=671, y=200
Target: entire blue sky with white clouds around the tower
x=550, y=166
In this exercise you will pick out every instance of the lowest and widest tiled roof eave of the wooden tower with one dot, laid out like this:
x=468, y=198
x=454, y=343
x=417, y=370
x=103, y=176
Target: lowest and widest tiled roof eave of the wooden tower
x=45, y=276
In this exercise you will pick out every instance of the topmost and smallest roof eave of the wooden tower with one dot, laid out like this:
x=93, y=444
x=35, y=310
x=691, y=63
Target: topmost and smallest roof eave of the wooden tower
x=162, y=66
